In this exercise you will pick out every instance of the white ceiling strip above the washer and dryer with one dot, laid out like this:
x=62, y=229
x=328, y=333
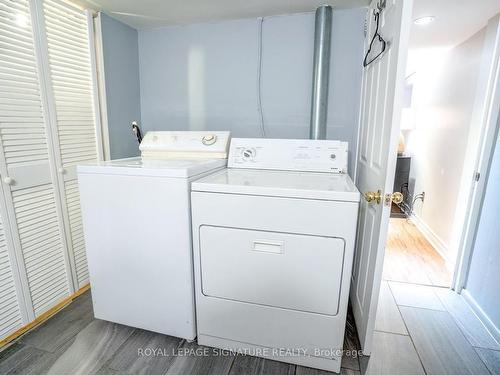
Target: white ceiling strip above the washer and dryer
x=155, y=13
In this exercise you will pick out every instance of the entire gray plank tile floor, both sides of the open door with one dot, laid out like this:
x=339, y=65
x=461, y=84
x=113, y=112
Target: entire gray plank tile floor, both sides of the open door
x=418, y=331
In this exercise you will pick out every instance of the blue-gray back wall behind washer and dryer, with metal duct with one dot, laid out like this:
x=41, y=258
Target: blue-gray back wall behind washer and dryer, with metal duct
x=205, y=76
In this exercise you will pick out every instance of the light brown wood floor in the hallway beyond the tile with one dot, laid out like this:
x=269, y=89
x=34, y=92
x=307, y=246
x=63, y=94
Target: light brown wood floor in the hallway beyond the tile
x=410, y=258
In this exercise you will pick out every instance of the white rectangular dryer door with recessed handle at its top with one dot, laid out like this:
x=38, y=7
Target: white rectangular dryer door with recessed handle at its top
x=291, y=271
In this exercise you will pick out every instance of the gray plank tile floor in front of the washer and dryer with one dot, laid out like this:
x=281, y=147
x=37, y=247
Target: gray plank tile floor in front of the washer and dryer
x=74, y=342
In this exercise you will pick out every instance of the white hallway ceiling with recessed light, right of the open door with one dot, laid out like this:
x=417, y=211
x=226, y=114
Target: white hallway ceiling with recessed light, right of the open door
x=456, y=21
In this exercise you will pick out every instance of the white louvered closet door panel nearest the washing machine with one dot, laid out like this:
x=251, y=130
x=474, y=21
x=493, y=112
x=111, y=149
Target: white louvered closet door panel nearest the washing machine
x=70, y=71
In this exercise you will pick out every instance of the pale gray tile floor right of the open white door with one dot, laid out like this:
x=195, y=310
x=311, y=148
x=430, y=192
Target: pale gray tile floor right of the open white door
x=440, y=331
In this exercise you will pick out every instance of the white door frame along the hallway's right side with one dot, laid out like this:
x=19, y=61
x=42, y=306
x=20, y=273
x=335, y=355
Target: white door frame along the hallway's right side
x=487, y=116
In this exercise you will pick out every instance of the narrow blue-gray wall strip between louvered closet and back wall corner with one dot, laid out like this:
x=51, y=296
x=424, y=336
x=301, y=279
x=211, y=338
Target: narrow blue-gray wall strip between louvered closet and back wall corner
x=121, y=69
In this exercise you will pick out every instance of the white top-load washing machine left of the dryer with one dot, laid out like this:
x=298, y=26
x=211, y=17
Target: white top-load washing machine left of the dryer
x=137, y=225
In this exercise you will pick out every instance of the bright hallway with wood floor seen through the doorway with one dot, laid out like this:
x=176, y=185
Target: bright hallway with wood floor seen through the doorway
x=436, y=127
